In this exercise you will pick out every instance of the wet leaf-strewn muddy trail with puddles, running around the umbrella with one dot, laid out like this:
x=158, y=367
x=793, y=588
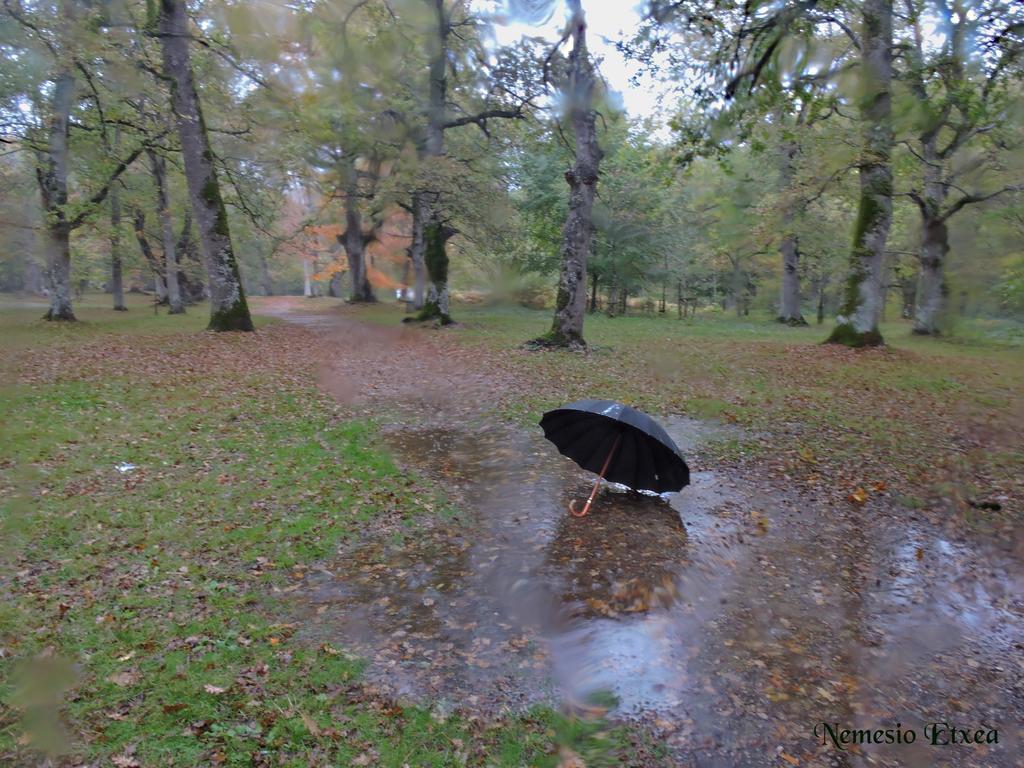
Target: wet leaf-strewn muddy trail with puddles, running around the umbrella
x=733, y=619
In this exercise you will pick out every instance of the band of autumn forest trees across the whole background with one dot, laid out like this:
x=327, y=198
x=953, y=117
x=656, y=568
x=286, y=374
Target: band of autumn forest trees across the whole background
x=803, y=162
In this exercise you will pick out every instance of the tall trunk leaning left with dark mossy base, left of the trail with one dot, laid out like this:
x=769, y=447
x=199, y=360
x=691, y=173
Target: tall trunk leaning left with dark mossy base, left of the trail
x=229, y=310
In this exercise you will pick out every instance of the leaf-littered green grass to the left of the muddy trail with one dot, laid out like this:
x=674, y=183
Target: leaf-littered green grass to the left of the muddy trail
x=143, y=622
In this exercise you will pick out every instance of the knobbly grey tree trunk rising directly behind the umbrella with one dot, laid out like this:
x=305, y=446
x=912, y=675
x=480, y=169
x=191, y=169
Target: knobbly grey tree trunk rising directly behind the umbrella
x=567, y=329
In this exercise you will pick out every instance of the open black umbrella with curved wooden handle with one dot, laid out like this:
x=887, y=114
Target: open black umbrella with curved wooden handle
x=619, y=443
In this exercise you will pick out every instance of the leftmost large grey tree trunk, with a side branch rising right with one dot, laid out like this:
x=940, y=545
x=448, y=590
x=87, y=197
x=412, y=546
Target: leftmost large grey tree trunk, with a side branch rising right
x=54, y=188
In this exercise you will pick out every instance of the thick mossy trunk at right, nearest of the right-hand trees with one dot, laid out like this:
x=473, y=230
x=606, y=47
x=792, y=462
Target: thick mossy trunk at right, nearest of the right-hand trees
x=858, y=324
